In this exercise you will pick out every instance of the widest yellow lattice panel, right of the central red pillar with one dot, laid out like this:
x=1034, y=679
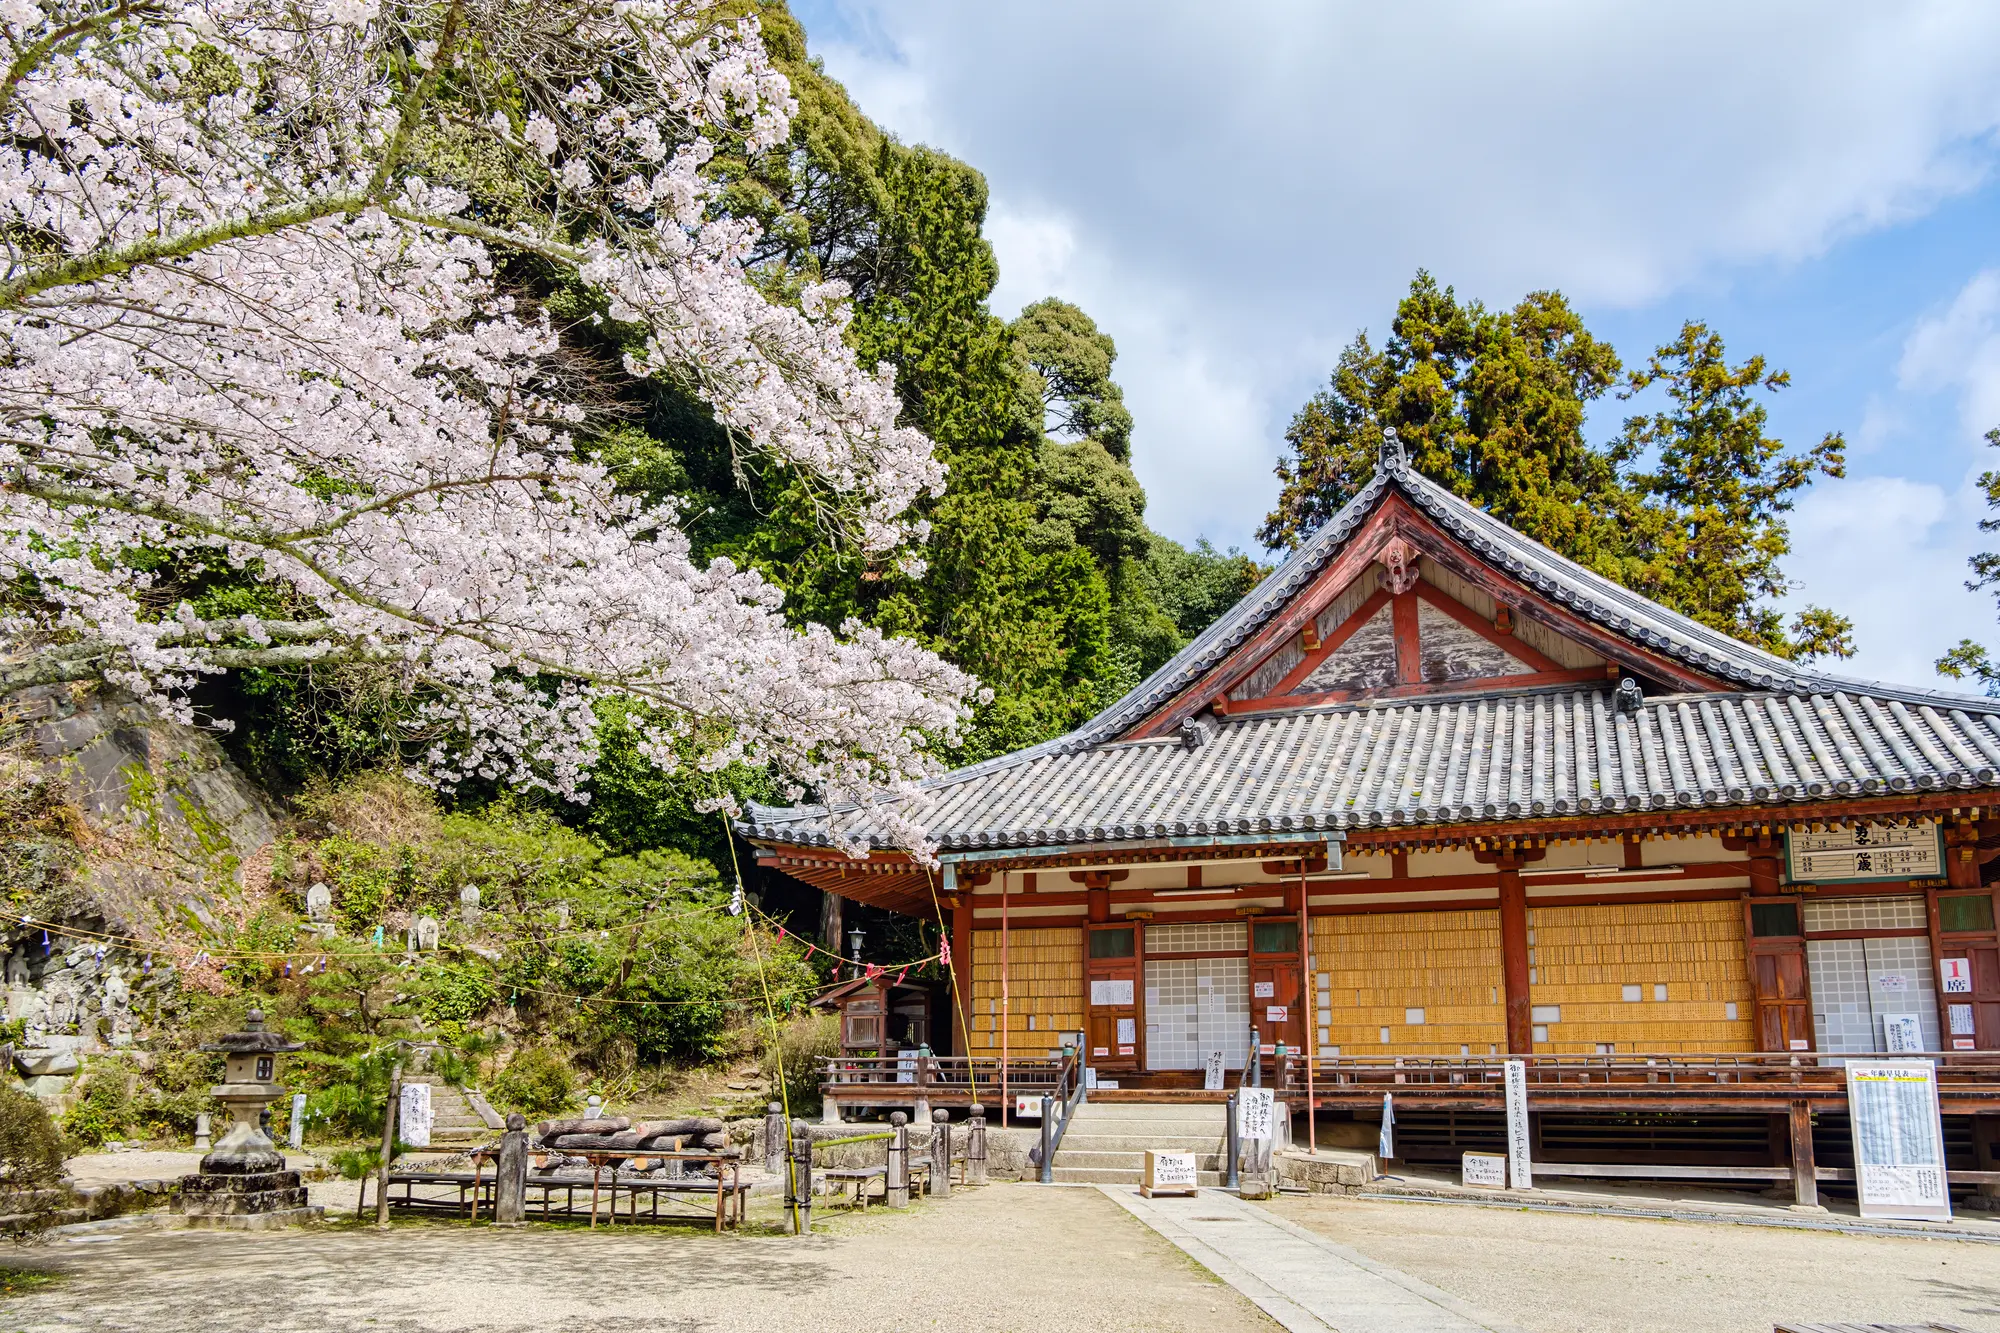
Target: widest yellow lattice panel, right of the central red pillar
x=1607, y=968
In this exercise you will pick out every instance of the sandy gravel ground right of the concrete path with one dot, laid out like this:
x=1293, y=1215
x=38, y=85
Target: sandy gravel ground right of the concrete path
x=1561, y=1274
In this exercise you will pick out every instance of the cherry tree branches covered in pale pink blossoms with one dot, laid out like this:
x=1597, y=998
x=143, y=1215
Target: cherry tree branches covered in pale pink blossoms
x=239, y=319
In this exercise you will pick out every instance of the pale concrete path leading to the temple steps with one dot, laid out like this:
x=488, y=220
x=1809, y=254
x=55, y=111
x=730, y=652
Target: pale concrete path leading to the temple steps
x=1301, y=1280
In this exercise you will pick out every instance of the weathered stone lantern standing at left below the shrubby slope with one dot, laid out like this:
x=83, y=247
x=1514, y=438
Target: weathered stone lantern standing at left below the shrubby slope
x=243, y=1182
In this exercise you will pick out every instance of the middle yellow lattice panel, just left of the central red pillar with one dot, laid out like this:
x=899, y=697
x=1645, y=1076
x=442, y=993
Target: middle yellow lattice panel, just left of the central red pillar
x=1383, y=966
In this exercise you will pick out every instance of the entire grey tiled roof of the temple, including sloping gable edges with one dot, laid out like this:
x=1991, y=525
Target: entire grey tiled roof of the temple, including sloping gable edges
x=1791, y=736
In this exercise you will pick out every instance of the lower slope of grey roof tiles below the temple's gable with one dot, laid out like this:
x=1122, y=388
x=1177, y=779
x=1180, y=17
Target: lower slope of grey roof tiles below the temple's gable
x=1457, y=762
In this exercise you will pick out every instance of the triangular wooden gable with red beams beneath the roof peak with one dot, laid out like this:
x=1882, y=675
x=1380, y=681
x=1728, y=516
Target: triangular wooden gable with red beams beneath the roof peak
x=1407, y=609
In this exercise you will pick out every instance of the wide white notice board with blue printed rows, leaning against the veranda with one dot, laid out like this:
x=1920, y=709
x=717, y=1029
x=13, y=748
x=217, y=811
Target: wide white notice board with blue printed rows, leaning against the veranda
x=1899, y=1140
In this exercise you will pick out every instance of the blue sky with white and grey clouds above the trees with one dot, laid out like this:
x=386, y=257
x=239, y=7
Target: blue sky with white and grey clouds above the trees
x=1235, y=191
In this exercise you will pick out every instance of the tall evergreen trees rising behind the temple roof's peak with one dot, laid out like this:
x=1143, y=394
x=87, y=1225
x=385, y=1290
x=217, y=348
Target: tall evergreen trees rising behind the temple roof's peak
x=1687, y=505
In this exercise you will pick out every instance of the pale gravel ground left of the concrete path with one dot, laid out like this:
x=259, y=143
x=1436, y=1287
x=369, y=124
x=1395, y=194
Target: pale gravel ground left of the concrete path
x=1005, y=1258
